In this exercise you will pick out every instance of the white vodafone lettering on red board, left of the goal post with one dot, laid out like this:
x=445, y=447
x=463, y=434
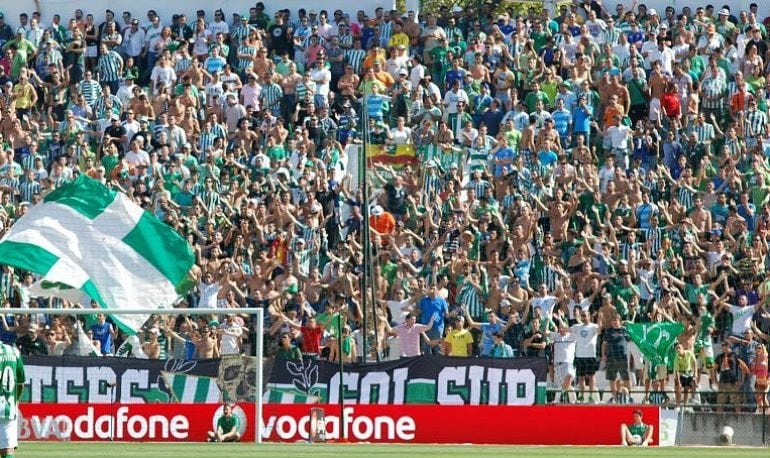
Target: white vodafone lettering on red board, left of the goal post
x=122, y=426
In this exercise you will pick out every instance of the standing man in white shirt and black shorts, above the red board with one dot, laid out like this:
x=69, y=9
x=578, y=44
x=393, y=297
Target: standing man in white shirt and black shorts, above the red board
x=586, y=336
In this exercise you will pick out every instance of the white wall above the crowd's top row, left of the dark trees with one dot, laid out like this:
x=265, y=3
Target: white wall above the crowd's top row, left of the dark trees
x=139, y=8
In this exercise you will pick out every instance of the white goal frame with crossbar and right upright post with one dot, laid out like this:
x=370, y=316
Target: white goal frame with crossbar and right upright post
x=259, y=344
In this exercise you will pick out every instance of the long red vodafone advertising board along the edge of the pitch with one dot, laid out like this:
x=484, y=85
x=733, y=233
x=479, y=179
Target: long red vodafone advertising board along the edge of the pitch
x=524, y=425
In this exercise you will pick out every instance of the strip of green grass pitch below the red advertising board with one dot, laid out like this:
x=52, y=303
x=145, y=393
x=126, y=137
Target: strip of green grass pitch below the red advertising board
x=187, y=450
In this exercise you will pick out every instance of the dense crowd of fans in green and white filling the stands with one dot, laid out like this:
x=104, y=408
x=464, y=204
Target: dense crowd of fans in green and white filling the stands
x=558, y=175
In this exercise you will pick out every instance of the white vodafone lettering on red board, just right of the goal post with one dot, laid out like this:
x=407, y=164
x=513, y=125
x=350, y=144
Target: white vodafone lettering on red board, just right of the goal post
x=358, y=427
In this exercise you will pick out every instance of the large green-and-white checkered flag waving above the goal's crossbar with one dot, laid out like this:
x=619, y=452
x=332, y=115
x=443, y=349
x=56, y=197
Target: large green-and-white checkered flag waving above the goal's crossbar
x=85, y=236
